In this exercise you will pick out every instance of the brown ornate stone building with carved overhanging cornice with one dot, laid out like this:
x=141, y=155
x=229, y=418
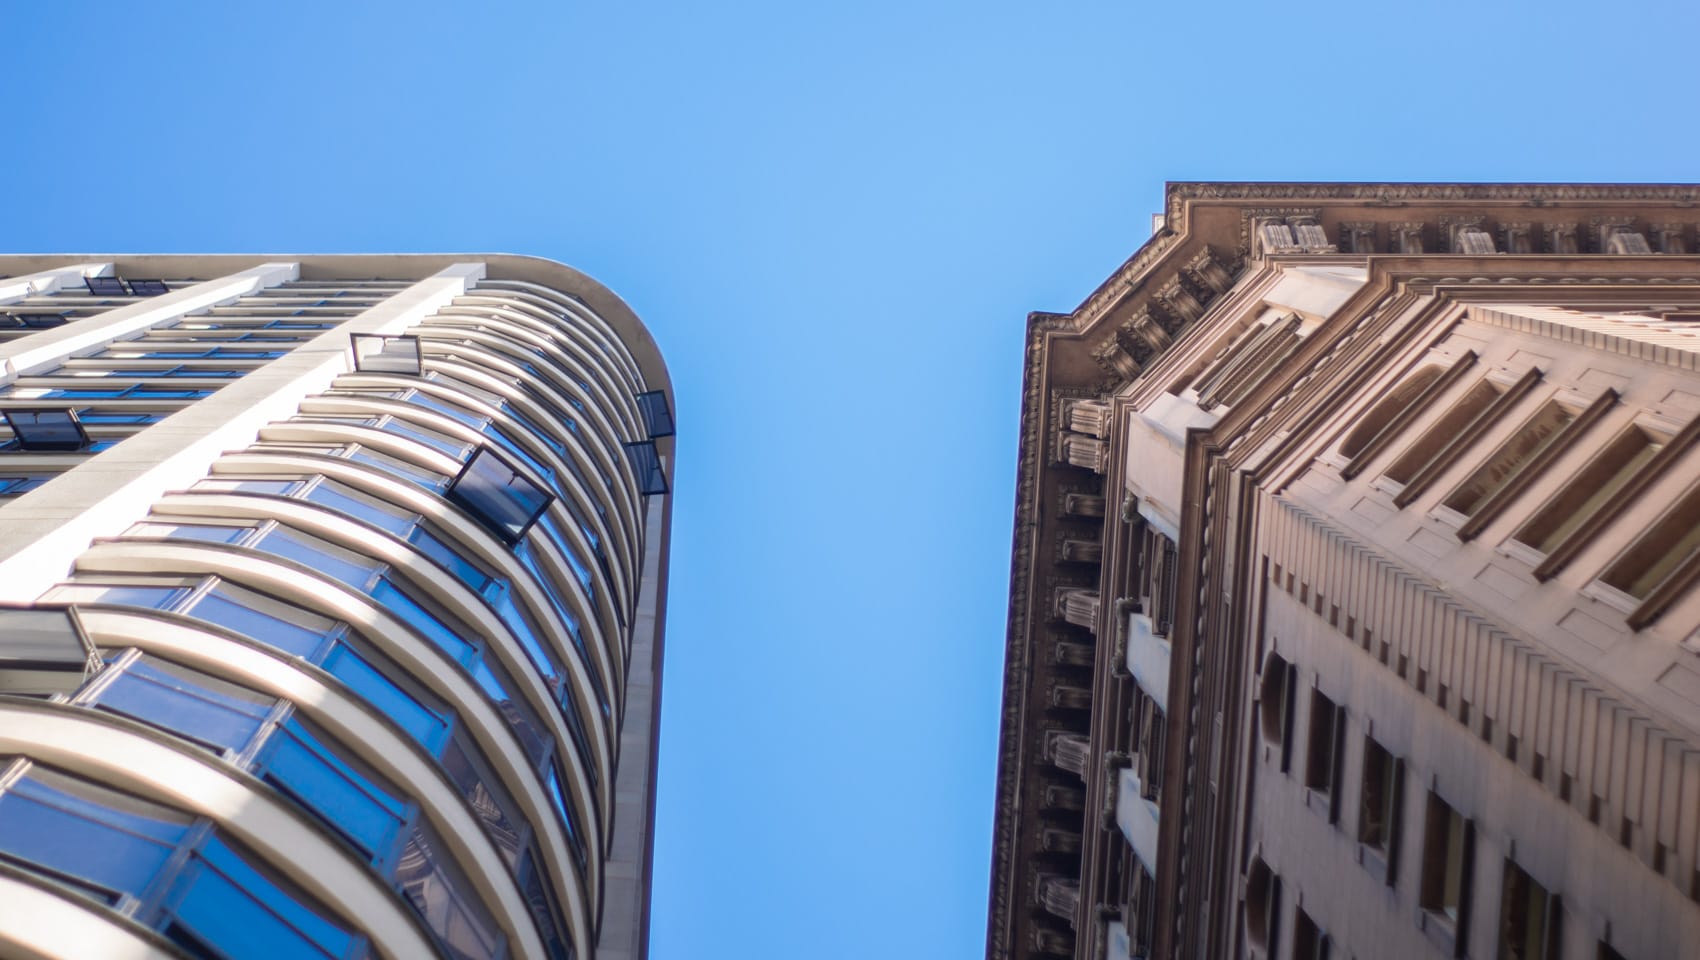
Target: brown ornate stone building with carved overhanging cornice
x=1354, y=602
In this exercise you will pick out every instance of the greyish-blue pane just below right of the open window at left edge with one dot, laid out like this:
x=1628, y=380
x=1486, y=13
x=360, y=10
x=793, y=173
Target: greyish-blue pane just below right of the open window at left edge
x=186, y=703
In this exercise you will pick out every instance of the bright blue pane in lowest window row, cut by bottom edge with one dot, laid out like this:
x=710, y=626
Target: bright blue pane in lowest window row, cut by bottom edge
x=224, y=901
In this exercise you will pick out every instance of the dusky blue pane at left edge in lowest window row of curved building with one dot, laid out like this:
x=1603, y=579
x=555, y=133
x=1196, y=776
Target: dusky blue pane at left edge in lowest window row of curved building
x=106, y=844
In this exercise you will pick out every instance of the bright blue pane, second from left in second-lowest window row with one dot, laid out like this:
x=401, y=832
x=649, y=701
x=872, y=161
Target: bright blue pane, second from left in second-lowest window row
x=353, y=805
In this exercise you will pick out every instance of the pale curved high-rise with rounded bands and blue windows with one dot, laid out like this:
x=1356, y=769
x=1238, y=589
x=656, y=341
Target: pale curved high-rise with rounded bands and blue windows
x=332, y=609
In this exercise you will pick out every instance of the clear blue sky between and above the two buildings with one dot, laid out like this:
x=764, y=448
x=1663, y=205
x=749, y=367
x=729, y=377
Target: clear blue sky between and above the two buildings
x=836, y=218
